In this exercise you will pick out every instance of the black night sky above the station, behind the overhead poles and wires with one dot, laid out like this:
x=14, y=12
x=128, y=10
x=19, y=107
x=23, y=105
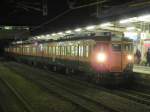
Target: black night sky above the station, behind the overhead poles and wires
x=12, y=12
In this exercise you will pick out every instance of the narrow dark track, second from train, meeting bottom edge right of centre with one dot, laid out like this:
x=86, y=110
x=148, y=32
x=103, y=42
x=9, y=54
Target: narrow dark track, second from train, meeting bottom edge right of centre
x=87, y=105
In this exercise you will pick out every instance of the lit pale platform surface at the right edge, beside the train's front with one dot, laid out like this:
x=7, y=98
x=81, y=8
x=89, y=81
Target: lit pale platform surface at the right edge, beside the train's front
x=141, y=69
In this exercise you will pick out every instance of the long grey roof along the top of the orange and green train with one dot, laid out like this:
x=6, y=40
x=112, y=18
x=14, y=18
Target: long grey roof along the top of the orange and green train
x=98, y=36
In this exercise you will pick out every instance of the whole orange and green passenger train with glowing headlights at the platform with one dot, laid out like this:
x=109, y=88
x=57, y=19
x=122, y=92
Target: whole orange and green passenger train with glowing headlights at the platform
x=106, y=57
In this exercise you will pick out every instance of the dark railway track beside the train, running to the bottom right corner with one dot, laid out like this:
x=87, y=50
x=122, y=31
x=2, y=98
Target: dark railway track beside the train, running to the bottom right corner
x=103, y=98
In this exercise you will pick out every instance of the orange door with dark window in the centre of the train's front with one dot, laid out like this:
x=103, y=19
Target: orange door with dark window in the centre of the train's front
x=116, y=57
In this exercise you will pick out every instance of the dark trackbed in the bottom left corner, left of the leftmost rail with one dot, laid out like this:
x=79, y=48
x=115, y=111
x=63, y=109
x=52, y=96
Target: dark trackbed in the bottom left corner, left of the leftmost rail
x=19, y=103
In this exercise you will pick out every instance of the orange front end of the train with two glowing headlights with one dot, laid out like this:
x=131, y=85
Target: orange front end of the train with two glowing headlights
x=112, y=59
